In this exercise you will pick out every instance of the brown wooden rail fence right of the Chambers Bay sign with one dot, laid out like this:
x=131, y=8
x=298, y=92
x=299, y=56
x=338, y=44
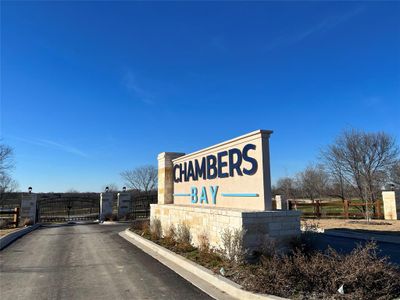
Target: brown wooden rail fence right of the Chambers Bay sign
x=340, y=209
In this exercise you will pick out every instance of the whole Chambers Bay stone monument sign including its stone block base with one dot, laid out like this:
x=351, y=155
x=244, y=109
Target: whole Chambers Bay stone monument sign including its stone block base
x=227, y=185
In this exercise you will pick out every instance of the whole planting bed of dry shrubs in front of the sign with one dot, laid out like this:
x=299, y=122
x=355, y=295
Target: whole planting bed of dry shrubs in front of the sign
x=301, y=274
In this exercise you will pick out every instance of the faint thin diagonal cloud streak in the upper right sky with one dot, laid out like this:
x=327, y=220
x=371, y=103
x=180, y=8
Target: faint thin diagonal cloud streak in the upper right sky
x=323, y=26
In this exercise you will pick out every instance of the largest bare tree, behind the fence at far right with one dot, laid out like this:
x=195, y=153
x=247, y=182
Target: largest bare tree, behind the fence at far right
x=363, y=160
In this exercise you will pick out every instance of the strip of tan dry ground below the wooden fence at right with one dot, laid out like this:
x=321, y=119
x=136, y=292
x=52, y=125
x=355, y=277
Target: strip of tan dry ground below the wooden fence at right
x=376, y=225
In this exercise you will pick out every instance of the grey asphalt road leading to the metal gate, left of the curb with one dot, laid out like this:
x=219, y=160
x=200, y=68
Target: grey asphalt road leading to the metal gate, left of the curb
x=86, y=262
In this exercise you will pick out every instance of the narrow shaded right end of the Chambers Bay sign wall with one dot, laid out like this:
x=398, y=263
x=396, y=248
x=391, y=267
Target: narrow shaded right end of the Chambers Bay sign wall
x=265, y=134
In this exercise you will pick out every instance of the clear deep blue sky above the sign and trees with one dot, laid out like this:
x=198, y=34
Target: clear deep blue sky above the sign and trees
x=89, y=89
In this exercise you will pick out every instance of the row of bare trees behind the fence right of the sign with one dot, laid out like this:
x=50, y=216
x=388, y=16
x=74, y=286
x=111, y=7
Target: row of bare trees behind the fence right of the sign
x=356, y=164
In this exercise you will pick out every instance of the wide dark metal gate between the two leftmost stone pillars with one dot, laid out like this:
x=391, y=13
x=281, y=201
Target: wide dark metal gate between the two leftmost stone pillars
x=68, y=208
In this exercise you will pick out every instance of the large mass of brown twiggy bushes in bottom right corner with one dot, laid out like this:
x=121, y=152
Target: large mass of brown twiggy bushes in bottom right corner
x=363, y=274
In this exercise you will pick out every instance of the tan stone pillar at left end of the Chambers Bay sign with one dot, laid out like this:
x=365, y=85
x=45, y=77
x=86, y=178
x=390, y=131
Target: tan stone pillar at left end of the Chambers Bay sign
x=166, y=177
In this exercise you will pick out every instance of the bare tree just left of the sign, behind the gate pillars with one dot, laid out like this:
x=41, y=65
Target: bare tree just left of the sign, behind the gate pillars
x=142, y=178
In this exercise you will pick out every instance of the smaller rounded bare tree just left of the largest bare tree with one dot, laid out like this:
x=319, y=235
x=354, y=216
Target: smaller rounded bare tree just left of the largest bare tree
x=313, y=182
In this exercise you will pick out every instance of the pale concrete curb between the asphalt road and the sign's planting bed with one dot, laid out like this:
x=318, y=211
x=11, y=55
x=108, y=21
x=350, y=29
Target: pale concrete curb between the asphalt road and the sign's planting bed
x=195, y=273
